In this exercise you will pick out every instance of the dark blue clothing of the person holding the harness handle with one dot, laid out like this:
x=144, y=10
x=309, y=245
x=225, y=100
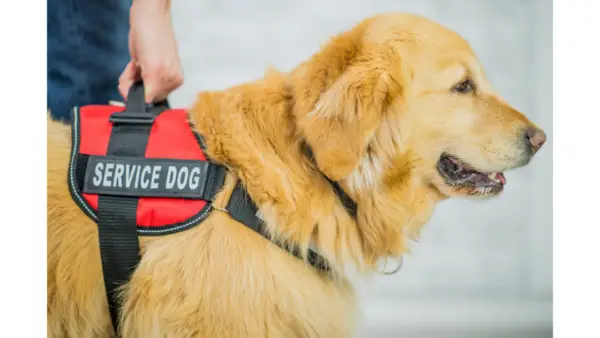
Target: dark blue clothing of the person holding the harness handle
x=87, y=51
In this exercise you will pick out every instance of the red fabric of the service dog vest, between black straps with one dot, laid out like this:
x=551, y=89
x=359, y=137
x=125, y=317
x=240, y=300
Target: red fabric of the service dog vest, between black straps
x=171, y=137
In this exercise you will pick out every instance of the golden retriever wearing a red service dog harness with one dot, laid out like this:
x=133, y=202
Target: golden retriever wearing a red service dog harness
x=397, y=110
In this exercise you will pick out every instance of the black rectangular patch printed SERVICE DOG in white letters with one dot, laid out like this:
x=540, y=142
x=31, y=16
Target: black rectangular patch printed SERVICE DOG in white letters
x=145, y=177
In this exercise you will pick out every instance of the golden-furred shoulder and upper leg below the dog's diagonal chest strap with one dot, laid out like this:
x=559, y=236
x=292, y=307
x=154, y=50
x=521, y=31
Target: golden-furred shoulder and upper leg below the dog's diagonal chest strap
x=221, y=279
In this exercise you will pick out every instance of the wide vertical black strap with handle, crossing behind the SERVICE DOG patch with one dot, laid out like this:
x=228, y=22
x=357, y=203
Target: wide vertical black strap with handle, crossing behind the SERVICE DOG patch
x=117, y=227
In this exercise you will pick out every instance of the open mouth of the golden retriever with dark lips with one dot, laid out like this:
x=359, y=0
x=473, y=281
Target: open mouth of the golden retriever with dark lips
x=459, y=174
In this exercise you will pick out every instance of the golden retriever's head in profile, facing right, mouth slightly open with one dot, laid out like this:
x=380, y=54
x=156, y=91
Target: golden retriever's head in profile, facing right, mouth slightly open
x=399, y=110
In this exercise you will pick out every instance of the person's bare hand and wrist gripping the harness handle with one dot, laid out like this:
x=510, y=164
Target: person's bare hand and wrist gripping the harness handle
x=153, y=50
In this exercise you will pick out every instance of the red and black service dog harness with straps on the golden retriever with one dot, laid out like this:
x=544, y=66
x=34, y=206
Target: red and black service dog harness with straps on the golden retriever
x=142, y=170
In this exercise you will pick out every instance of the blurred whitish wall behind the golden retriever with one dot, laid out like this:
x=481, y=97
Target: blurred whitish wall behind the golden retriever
x=480, y=265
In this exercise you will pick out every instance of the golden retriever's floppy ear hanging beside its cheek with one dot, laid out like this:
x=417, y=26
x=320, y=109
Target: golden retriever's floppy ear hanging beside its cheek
x=345, y=118
